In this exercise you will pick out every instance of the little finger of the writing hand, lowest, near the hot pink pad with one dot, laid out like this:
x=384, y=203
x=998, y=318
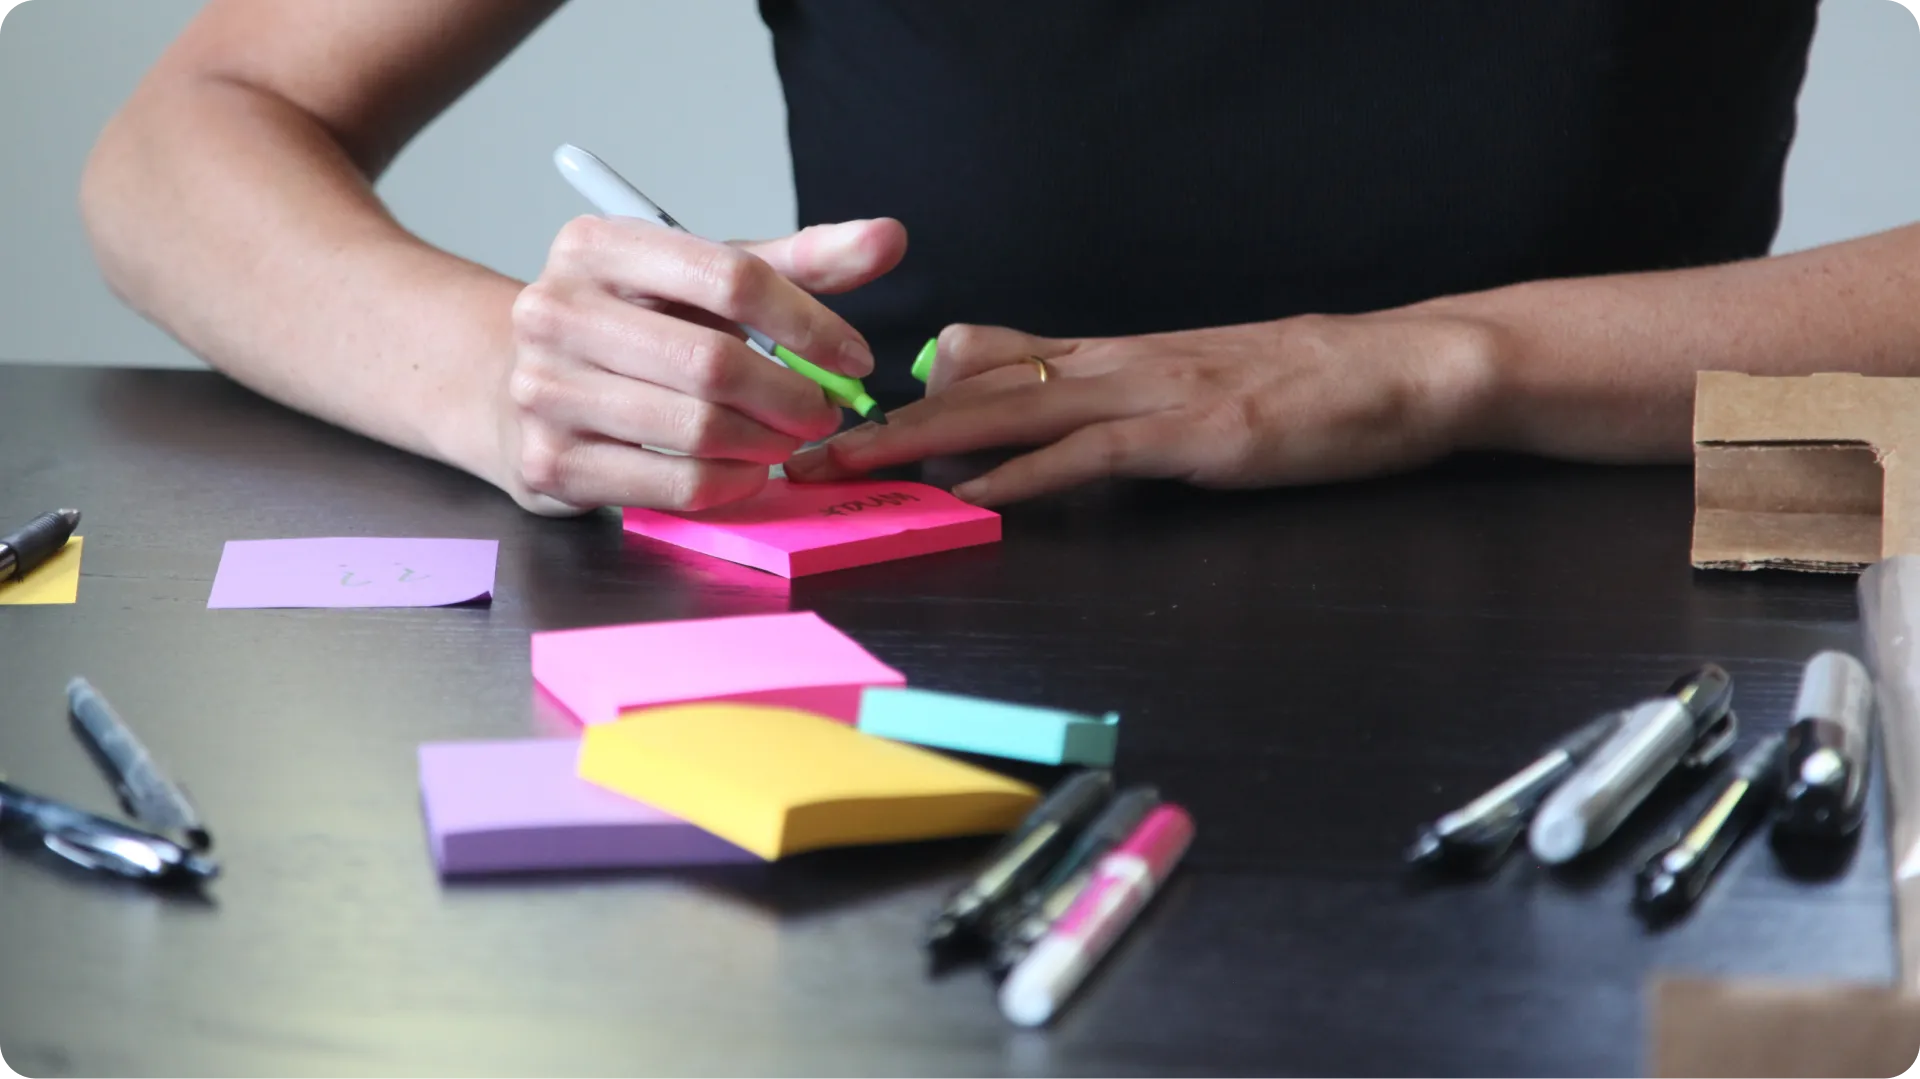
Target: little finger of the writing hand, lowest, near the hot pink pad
x=610, y=473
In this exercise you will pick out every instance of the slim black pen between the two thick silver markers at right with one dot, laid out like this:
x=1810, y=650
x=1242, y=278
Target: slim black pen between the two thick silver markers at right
x=1675, y=878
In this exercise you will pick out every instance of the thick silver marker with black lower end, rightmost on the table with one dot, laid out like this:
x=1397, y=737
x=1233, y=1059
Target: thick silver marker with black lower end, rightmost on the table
x=1829, y=752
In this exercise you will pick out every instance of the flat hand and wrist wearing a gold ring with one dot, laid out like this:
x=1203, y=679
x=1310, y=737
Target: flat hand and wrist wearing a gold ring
x=1293, y=402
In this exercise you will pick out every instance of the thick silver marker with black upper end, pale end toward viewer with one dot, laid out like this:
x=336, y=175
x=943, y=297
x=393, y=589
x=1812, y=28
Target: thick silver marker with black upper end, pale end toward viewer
x=1691, y=727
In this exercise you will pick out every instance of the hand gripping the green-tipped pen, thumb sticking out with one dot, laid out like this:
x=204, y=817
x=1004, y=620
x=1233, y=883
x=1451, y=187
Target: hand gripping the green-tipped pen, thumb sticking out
x=629, y=341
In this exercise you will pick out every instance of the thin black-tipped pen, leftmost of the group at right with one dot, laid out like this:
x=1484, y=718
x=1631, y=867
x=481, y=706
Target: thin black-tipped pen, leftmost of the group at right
x=1481, y=832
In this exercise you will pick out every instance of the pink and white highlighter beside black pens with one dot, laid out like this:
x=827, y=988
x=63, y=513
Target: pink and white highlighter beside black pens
x=1120, y=888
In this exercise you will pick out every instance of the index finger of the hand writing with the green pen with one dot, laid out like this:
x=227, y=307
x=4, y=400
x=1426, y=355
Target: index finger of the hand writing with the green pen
x=633, y=258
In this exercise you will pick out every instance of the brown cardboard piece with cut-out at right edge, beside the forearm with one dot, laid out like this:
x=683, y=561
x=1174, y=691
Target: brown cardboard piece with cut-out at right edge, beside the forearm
x=1806, y=473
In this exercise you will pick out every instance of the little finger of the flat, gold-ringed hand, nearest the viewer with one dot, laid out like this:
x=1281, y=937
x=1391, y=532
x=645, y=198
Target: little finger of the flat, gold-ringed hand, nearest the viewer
x=1122, y=448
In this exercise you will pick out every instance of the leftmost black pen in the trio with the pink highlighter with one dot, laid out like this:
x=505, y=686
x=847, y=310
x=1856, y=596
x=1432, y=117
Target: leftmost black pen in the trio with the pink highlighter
x=1022, y=857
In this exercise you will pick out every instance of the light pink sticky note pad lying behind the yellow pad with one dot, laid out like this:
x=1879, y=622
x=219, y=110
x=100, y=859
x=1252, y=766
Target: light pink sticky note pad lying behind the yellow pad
x=794, y=661
